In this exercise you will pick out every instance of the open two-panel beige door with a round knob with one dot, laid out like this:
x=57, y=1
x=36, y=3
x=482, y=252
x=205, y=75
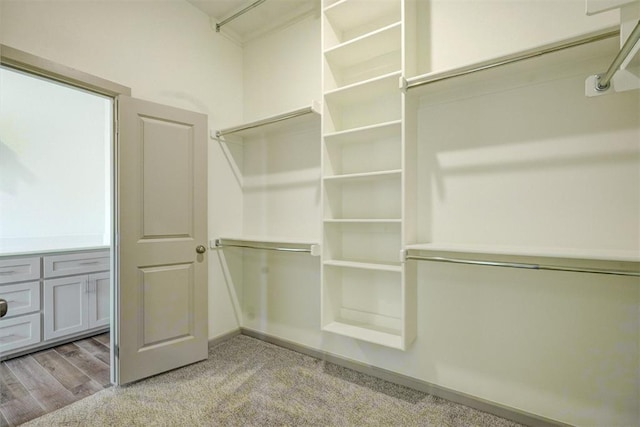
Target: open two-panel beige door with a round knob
x=161, y=223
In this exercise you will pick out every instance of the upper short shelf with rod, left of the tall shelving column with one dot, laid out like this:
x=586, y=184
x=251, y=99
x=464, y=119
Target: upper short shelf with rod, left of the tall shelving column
x=273, y=123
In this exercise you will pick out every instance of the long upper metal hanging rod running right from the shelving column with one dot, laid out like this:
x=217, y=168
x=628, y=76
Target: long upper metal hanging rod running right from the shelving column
x=508, y=59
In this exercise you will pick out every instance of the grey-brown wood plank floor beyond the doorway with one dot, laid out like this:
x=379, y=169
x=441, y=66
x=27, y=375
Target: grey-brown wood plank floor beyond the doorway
x=42, y=382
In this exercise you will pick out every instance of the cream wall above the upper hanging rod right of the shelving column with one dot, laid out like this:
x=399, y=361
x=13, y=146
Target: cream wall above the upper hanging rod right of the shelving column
x=462, y=32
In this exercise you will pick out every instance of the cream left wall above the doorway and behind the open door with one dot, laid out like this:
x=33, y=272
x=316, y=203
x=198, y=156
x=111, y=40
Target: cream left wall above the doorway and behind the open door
x=166, y=52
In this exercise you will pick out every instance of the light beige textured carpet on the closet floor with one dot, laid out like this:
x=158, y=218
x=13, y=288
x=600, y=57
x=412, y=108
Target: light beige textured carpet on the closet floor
x=247, y=382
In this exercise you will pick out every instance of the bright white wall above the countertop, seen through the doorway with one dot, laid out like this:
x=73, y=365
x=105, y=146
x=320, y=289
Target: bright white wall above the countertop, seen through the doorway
x=55, y=166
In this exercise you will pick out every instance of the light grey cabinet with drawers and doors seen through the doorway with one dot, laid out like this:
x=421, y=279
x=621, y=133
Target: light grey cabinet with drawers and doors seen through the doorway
x=52, y=297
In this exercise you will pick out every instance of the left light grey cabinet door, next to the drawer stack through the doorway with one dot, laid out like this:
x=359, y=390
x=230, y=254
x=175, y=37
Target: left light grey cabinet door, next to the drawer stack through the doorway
x=65, y=306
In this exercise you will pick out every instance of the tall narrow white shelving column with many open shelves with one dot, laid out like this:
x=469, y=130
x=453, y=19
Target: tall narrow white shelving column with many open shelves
x=363, y=286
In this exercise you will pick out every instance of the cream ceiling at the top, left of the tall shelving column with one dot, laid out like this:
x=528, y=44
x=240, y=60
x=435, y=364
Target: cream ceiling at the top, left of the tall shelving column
x=266, y=16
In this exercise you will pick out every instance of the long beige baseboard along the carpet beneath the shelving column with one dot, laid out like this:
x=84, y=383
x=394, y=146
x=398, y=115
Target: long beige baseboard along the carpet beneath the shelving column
x=474, y=402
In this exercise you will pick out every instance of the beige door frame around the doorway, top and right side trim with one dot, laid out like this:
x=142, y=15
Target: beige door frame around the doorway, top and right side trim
x=26, y=62
